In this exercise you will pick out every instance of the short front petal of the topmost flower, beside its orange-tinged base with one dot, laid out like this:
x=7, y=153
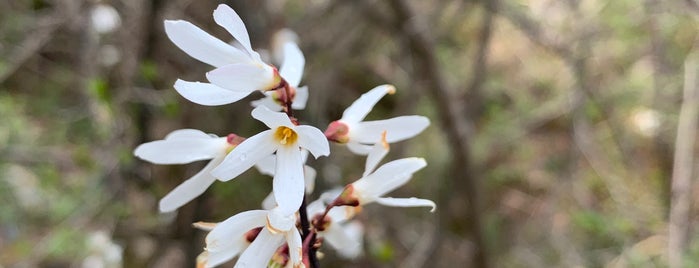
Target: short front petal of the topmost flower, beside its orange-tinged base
x=243, y=77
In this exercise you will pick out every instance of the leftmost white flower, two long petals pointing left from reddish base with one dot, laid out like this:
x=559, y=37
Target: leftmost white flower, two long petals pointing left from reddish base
x=186, y=146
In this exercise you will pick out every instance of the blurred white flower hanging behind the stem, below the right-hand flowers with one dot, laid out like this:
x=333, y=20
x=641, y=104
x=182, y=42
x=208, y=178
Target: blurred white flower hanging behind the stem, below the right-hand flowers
x=346, y=237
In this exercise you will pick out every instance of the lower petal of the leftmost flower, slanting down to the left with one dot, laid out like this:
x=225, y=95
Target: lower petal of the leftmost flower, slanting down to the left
x=191, y=188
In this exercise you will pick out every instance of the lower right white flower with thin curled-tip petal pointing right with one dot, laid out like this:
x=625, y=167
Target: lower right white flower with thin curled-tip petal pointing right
x=375, y=183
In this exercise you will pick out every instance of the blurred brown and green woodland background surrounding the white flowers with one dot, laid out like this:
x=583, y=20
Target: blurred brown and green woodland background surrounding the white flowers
x=562, y=131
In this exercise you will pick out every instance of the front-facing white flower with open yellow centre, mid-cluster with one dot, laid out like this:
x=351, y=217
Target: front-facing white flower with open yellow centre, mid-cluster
x=287, y=140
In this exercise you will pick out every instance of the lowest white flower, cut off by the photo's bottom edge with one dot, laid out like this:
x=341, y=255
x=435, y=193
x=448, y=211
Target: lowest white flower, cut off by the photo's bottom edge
x=232, y=236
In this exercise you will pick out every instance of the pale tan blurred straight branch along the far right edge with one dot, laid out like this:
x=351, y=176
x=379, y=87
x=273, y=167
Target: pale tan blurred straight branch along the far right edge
x=684, y=160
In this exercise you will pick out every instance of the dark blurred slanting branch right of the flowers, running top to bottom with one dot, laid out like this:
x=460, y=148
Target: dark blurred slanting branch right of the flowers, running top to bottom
x=422, y=47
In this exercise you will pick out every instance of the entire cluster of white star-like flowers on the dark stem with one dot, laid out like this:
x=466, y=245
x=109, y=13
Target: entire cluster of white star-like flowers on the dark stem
x=278, y=234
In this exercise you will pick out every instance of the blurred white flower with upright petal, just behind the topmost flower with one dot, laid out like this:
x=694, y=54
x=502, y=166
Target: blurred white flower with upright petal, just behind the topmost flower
x=292, y=71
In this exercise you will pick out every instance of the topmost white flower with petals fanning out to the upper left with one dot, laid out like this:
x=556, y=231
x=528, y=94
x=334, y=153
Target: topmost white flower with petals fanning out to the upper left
x=240, y=70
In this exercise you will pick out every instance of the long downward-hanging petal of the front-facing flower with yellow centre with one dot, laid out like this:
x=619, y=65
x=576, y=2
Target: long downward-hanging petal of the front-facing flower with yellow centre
x=288, y=184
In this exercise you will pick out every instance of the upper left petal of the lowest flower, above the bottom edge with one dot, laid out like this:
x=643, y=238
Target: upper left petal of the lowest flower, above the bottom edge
x=231, y=232
